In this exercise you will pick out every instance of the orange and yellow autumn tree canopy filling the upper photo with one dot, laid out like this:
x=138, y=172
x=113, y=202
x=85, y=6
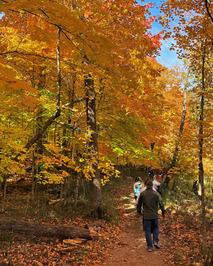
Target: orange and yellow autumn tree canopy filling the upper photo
x=65, y=61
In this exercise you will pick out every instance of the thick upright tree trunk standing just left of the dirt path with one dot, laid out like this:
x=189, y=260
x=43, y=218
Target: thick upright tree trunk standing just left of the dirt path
x=95, y=183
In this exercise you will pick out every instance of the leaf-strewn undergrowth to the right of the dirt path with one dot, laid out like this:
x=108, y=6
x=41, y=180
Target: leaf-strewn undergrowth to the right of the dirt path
x=183, y=227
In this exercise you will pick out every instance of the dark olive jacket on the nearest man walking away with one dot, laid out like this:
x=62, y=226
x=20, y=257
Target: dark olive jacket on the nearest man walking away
x=150, y=200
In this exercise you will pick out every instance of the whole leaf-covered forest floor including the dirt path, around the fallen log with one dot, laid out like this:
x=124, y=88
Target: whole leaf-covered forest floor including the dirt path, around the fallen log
x=118, y=239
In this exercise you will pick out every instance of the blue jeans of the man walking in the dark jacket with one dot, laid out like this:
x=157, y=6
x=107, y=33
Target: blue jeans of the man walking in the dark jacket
x=149, y=227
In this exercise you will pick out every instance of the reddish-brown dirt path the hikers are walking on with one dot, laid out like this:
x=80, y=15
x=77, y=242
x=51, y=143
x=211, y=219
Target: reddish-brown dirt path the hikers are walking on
x=131, y=248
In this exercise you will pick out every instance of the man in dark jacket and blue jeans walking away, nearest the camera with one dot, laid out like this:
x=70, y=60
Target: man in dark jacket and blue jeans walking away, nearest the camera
x=150, y=200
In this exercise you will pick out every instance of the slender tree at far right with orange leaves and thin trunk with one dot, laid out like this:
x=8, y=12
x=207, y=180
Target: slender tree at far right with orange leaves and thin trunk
x=193, y=37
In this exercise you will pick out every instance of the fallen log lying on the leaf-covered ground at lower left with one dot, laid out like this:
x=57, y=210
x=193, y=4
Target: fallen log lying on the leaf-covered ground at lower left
x=61, y=232
